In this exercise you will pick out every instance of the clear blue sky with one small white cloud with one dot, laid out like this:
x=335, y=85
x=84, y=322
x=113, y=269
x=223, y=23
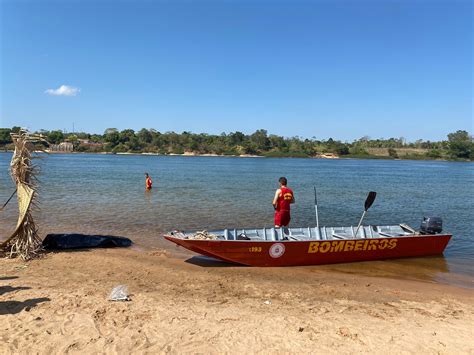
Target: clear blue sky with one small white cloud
x=341, y=69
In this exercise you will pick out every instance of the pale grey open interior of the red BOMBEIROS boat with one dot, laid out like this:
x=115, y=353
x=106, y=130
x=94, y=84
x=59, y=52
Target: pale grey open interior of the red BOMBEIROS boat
x=301, y=234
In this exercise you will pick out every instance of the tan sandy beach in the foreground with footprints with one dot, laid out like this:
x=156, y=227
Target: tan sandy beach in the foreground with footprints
x=60, y=304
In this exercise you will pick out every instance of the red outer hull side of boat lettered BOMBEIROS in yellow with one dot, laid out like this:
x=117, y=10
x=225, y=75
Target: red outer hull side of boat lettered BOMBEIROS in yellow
x=311, y=252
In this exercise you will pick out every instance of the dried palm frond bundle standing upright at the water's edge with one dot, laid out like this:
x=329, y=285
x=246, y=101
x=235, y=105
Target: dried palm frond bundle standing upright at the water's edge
x=24, y=242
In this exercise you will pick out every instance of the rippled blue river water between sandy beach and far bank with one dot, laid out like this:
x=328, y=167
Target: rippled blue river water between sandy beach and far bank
x=104, y=194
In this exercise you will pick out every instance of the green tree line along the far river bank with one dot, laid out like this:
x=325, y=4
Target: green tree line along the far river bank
x=458, y=145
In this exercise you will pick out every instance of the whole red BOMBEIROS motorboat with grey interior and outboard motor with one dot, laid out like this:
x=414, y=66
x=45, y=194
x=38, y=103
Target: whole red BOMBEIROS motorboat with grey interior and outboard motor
x=316, y=245
